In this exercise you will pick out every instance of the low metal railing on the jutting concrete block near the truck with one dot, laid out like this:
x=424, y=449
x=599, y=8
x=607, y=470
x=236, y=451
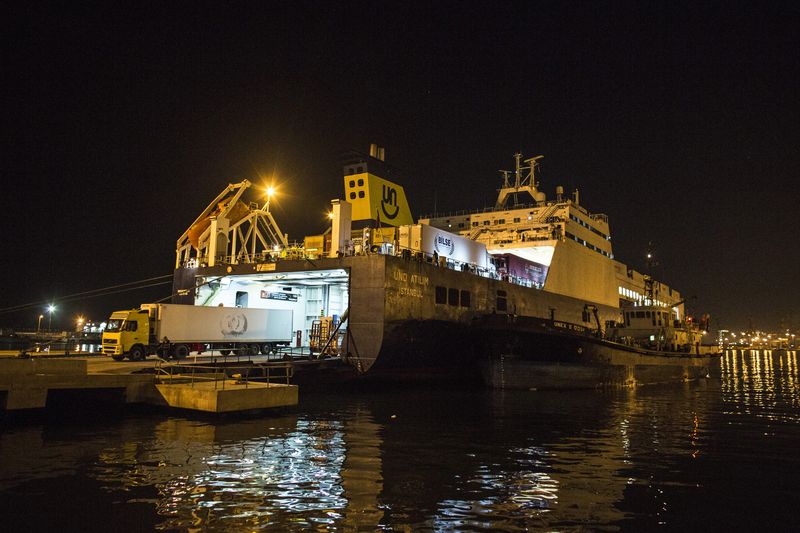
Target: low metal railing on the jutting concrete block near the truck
x=221, y=377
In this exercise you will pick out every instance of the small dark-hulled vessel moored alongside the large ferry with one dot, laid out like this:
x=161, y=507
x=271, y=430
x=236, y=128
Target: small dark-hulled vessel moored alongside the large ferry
x=525, y=353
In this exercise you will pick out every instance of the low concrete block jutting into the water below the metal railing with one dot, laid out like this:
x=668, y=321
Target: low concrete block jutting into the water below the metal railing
x=227, y=396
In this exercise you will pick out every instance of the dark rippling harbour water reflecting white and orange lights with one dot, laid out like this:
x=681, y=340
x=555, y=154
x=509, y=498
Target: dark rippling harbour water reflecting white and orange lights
x=709, y=456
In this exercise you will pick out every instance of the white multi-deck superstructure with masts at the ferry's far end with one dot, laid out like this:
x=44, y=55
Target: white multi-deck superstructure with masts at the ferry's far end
x=564, y=248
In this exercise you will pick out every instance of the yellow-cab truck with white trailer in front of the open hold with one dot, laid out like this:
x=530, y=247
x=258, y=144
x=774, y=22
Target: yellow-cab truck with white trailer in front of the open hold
x=173, y=331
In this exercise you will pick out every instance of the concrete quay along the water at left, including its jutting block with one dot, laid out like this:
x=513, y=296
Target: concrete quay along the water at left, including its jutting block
x=28, y=383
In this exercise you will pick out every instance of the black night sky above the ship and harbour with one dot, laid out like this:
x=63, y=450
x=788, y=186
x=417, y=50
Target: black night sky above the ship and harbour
x=679, y=121
